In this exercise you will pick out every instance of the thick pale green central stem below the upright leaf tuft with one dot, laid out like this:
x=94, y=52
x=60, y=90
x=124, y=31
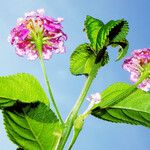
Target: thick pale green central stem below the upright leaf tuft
x=71, y=118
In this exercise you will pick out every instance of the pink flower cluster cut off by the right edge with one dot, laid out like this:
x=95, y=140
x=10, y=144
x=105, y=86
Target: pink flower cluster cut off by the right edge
x=135, y=65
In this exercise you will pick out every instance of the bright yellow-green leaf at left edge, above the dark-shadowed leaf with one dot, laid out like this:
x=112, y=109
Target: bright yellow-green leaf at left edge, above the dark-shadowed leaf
x=20, y=87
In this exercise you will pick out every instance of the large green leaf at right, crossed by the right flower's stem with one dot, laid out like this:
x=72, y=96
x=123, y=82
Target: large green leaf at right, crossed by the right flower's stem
x=132, y=109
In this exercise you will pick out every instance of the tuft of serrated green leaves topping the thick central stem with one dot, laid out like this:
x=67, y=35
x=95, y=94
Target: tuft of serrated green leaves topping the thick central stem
x=94, y=55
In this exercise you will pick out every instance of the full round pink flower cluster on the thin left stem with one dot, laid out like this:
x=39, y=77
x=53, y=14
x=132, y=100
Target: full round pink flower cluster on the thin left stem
x=23, y=36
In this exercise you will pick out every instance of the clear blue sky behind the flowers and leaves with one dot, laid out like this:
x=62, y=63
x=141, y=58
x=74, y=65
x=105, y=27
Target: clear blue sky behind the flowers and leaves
x=97, y=134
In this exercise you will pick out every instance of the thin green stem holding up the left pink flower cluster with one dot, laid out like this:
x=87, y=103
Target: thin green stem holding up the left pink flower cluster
x=39, y=47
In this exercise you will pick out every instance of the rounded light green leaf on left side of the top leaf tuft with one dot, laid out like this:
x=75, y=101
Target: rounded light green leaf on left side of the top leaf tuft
x=82, y=60
